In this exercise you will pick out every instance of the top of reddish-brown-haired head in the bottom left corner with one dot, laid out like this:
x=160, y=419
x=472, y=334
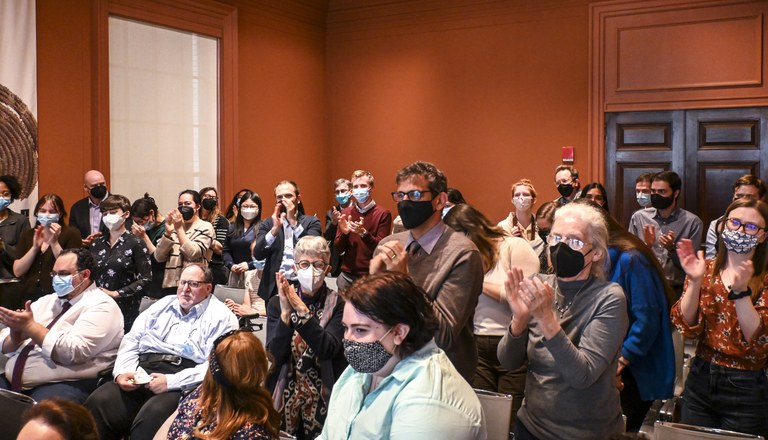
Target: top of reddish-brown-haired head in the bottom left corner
x=58, y=419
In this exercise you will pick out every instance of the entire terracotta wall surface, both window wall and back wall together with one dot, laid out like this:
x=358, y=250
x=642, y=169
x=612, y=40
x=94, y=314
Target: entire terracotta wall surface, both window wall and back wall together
x=490, y=98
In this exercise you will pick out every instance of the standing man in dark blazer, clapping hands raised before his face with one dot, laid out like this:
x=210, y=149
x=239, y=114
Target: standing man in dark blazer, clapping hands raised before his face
x=278, y=235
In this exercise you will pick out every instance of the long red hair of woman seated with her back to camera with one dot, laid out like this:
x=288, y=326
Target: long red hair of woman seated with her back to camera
x=243, y=399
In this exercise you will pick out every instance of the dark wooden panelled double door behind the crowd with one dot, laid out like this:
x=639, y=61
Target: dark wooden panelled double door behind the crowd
x=709, y=149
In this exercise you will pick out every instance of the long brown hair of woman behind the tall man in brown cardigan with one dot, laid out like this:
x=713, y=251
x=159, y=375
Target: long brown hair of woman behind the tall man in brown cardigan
x=484, y=234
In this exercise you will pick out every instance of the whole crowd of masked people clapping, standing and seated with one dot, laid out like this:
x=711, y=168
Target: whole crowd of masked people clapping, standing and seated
x=556, y=305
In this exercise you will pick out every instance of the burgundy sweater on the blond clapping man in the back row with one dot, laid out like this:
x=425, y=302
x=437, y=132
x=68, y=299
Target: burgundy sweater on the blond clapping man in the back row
x=357, y=252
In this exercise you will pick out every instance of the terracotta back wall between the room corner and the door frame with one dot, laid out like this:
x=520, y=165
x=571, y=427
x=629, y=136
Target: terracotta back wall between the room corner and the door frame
x=489, y=99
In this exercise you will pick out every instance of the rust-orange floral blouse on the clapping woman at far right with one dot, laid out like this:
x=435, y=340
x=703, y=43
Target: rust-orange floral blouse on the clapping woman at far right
x=717, y=328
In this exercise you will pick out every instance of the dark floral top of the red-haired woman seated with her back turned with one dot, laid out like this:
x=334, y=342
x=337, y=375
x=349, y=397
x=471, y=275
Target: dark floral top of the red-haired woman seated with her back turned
x=189, y=418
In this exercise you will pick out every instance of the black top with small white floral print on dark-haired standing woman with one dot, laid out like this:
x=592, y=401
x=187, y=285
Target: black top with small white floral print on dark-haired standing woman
x=124, y=268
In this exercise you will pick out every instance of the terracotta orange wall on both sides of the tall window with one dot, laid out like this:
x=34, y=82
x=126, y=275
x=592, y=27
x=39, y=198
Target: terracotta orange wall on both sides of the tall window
x=281, y=98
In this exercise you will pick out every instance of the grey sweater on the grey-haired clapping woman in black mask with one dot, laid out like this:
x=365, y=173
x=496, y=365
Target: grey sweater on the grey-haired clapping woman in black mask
x=570, y=389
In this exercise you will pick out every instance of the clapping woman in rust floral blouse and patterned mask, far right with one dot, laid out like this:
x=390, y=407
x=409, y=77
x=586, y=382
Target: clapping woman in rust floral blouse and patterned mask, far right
x=724, y=308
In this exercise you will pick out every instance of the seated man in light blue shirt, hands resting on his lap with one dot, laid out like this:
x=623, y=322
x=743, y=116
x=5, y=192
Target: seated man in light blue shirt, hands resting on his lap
x=170, y=341
